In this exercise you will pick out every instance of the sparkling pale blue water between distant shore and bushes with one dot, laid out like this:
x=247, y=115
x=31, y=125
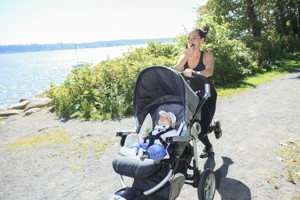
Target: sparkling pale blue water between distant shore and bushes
x=23, y=75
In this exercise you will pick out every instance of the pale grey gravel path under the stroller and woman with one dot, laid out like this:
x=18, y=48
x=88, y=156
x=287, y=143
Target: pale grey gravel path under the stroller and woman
x=245, y=163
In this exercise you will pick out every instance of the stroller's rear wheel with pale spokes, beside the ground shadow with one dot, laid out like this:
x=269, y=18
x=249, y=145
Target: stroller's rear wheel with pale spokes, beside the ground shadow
x=207, y=185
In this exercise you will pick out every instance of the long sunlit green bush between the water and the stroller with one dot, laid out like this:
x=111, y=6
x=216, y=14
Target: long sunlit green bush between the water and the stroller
x=106, y=90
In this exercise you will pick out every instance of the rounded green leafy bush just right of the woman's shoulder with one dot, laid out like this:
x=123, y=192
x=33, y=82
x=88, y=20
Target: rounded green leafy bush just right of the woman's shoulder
x=233, y=60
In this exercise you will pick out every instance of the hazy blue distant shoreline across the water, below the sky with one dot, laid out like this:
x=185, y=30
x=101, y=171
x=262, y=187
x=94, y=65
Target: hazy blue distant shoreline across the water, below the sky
x=20, y=48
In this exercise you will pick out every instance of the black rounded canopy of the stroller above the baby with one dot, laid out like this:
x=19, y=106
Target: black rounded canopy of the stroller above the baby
x=158, y=85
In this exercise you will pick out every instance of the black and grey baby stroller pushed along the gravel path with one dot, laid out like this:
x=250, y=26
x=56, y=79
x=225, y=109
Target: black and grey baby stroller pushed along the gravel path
x=160, y=88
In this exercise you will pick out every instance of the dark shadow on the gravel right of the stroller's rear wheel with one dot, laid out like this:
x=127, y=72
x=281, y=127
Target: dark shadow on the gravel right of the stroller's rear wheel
x=227, y=188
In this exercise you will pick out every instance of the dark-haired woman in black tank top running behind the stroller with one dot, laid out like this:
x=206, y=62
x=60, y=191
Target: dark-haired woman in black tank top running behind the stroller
x=196, y=61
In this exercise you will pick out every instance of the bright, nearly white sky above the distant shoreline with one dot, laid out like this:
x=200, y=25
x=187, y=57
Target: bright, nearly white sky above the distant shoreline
x=77, y=21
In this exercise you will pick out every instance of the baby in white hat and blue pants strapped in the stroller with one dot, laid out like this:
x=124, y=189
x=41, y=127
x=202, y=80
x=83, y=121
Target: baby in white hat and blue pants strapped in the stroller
x=165, y=122
